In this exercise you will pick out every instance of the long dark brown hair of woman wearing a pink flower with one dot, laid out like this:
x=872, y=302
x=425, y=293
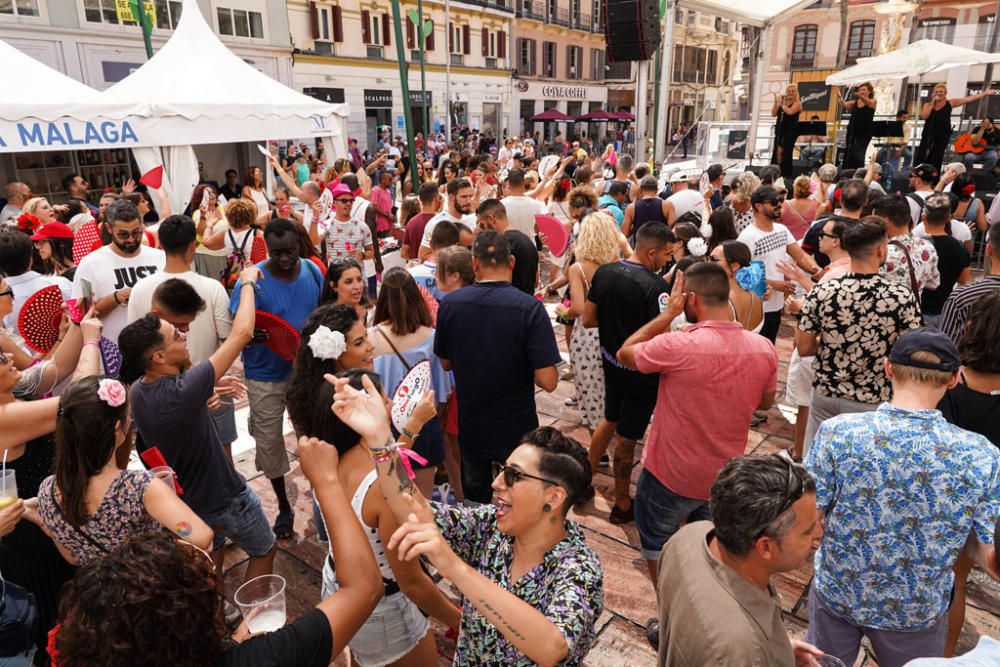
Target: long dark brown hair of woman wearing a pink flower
x=85, y=442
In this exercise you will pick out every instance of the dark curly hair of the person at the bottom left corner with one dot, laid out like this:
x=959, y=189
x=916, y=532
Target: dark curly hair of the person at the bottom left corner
x=152, y=601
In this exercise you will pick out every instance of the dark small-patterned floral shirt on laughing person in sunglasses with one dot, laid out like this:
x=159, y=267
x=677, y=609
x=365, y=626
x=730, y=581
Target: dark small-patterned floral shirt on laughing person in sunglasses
x=567, y=587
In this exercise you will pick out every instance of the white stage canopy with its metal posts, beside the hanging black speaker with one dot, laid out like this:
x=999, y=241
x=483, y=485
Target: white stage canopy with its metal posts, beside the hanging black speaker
x=760, y=13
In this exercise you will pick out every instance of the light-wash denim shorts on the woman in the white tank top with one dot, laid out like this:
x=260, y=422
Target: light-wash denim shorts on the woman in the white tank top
x=393, y=629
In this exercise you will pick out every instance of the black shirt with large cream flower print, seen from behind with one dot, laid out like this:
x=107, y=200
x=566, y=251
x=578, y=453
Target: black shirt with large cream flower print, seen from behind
x=858, y=317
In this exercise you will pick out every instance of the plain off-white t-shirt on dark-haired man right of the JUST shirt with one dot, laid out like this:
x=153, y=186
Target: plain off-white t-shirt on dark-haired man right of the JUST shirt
x=208, y=328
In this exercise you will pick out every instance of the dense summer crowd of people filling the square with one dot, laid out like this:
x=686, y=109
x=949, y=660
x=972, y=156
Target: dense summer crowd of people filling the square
x=318, y=300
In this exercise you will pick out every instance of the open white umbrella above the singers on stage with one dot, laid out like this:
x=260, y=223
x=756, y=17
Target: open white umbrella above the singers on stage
x=917, y=59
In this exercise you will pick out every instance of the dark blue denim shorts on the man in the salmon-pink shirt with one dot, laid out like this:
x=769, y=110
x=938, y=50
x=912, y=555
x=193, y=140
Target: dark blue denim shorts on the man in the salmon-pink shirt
x=659, y=513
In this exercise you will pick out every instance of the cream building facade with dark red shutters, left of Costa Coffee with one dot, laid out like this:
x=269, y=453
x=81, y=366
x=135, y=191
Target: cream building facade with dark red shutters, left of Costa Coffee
x=345, y=51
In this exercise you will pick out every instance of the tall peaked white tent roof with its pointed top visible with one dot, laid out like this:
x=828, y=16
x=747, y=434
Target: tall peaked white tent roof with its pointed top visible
x=163, y=85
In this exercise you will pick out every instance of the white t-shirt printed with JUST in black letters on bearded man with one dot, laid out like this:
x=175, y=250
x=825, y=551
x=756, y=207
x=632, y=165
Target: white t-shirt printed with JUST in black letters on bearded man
x=109, y=272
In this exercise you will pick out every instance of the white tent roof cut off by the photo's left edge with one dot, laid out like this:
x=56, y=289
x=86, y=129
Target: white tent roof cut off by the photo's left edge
x=47, y=94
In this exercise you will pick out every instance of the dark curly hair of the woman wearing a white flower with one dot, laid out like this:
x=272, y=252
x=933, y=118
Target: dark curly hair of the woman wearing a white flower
x=308, y=371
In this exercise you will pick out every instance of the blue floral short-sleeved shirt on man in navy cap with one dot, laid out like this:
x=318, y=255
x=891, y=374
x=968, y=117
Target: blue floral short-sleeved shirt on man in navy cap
x=901, y=490
